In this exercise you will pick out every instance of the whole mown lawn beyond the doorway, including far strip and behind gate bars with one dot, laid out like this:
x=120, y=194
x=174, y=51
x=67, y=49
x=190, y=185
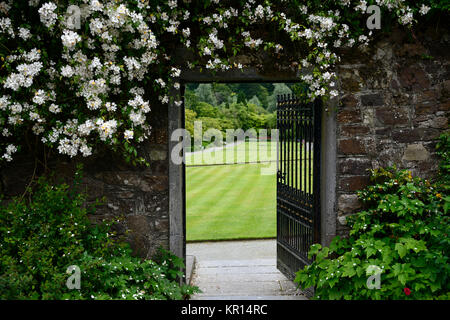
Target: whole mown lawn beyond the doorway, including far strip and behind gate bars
x=233, y=201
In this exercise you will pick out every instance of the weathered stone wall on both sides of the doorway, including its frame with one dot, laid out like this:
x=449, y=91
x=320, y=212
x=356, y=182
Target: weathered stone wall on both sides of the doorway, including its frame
x=394, y=103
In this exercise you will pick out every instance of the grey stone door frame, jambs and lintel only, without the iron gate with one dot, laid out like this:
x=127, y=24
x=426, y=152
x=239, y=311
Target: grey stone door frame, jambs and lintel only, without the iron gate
x=177, y=183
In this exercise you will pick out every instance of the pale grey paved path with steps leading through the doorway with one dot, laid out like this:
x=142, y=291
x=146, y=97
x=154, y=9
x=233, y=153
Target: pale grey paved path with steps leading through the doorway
x=239, y=270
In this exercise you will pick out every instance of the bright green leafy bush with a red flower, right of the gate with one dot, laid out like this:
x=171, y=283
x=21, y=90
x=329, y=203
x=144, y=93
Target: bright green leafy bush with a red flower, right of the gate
x=402, y=231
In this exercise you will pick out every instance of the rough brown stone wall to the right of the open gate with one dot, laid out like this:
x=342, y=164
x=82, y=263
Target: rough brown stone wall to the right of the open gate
x=396, y=103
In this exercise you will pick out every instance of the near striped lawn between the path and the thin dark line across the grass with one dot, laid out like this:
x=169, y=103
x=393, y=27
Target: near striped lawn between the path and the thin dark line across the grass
x=230, y=202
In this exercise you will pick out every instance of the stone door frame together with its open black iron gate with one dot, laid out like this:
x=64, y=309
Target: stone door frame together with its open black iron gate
x=305, y=172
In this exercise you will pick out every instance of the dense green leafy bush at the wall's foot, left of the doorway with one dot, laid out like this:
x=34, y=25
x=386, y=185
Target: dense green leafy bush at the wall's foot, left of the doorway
x=41, y=238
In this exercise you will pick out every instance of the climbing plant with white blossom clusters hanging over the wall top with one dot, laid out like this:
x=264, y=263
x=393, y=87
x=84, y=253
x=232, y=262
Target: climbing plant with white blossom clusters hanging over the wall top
x=80, y=75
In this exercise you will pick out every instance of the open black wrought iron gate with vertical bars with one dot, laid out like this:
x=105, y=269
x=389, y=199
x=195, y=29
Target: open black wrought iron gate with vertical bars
x=298, y=182
